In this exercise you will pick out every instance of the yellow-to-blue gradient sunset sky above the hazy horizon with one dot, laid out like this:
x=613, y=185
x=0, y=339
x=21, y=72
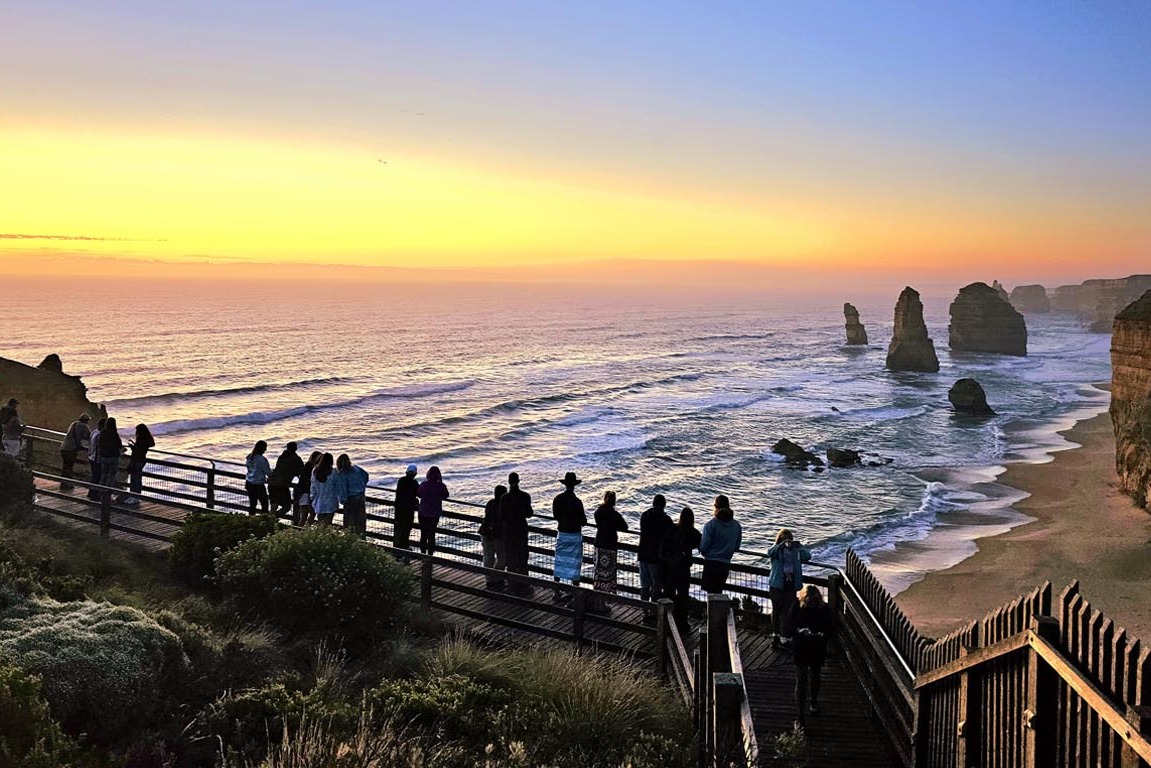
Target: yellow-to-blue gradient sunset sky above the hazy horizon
x=810, y=136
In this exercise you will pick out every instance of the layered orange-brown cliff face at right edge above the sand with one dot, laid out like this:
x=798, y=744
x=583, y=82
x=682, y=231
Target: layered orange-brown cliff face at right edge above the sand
x=1131, y=398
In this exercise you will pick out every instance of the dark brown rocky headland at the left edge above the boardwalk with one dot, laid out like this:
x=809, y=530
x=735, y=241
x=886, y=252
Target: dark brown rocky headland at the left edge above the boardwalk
x=48, y=398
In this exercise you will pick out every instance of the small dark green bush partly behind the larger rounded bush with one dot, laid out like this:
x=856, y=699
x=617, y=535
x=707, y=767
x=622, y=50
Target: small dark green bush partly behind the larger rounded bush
x=207, y=536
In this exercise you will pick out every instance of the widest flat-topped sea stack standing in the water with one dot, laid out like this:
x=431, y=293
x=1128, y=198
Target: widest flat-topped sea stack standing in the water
x=984, y=322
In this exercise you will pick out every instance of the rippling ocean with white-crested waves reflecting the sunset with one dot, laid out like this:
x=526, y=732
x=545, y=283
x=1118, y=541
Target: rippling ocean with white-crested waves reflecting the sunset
x=639, y=394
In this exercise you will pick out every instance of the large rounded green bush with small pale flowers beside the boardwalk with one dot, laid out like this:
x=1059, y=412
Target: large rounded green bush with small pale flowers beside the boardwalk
x=318, y=581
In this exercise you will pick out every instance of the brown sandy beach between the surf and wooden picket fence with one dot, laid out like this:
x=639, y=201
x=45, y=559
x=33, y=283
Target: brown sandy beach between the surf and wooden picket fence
x=1084, y=529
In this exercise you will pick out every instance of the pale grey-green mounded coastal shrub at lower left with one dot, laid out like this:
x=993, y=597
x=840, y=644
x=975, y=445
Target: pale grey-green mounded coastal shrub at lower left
x=105, y=670
